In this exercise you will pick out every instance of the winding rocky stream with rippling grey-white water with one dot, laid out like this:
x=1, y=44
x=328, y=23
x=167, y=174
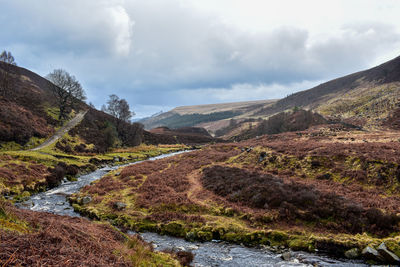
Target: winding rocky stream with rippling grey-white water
x=206, y=254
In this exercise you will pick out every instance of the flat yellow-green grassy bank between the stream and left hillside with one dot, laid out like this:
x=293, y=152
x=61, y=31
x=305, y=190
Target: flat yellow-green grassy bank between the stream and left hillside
x=25, y=172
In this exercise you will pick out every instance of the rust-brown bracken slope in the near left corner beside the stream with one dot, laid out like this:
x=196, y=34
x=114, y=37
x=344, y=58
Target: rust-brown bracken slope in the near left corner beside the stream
x=30, y=238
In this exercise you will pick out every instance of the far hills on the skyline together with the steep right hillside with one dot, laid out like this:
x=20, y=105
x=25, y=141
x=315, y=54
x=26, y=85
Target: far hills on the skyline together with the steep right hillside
x=366, y=98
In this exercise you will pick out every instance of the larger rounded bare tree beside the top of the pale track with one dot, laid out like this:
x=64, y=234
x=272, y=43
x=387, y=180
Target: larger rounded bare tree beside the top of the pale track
x=67, y=90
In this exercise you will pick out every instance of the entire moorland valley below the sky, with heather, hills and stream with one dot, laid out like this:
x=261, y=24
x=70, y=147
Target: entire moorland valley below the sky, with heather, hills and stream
x=316, y=172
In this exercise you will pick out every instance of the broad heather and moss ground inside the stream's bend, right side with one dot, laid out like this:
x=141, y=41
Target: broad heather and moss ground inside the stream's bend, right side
x=328, y=189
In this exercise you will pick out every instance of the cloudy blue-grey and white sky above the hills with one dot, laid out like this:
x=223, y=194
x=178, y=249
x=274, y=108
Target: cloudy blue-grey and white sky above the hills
x=159, y=54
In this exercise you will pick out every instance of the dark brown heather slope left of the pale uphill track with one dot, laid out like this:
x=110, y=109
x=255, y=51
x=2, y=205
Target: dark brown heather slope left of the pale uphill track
x=28, y=110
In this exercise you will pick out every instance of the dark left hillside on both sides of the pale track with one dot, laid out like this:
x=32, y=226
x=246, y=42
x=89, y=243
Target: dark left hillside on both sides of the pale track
x=29, y=116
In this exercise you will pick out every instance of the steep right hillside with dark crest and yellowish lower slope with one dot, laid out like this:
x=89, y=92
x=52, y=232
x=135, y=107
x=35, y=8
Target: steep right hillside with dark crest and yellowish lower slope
x=366, y=97
